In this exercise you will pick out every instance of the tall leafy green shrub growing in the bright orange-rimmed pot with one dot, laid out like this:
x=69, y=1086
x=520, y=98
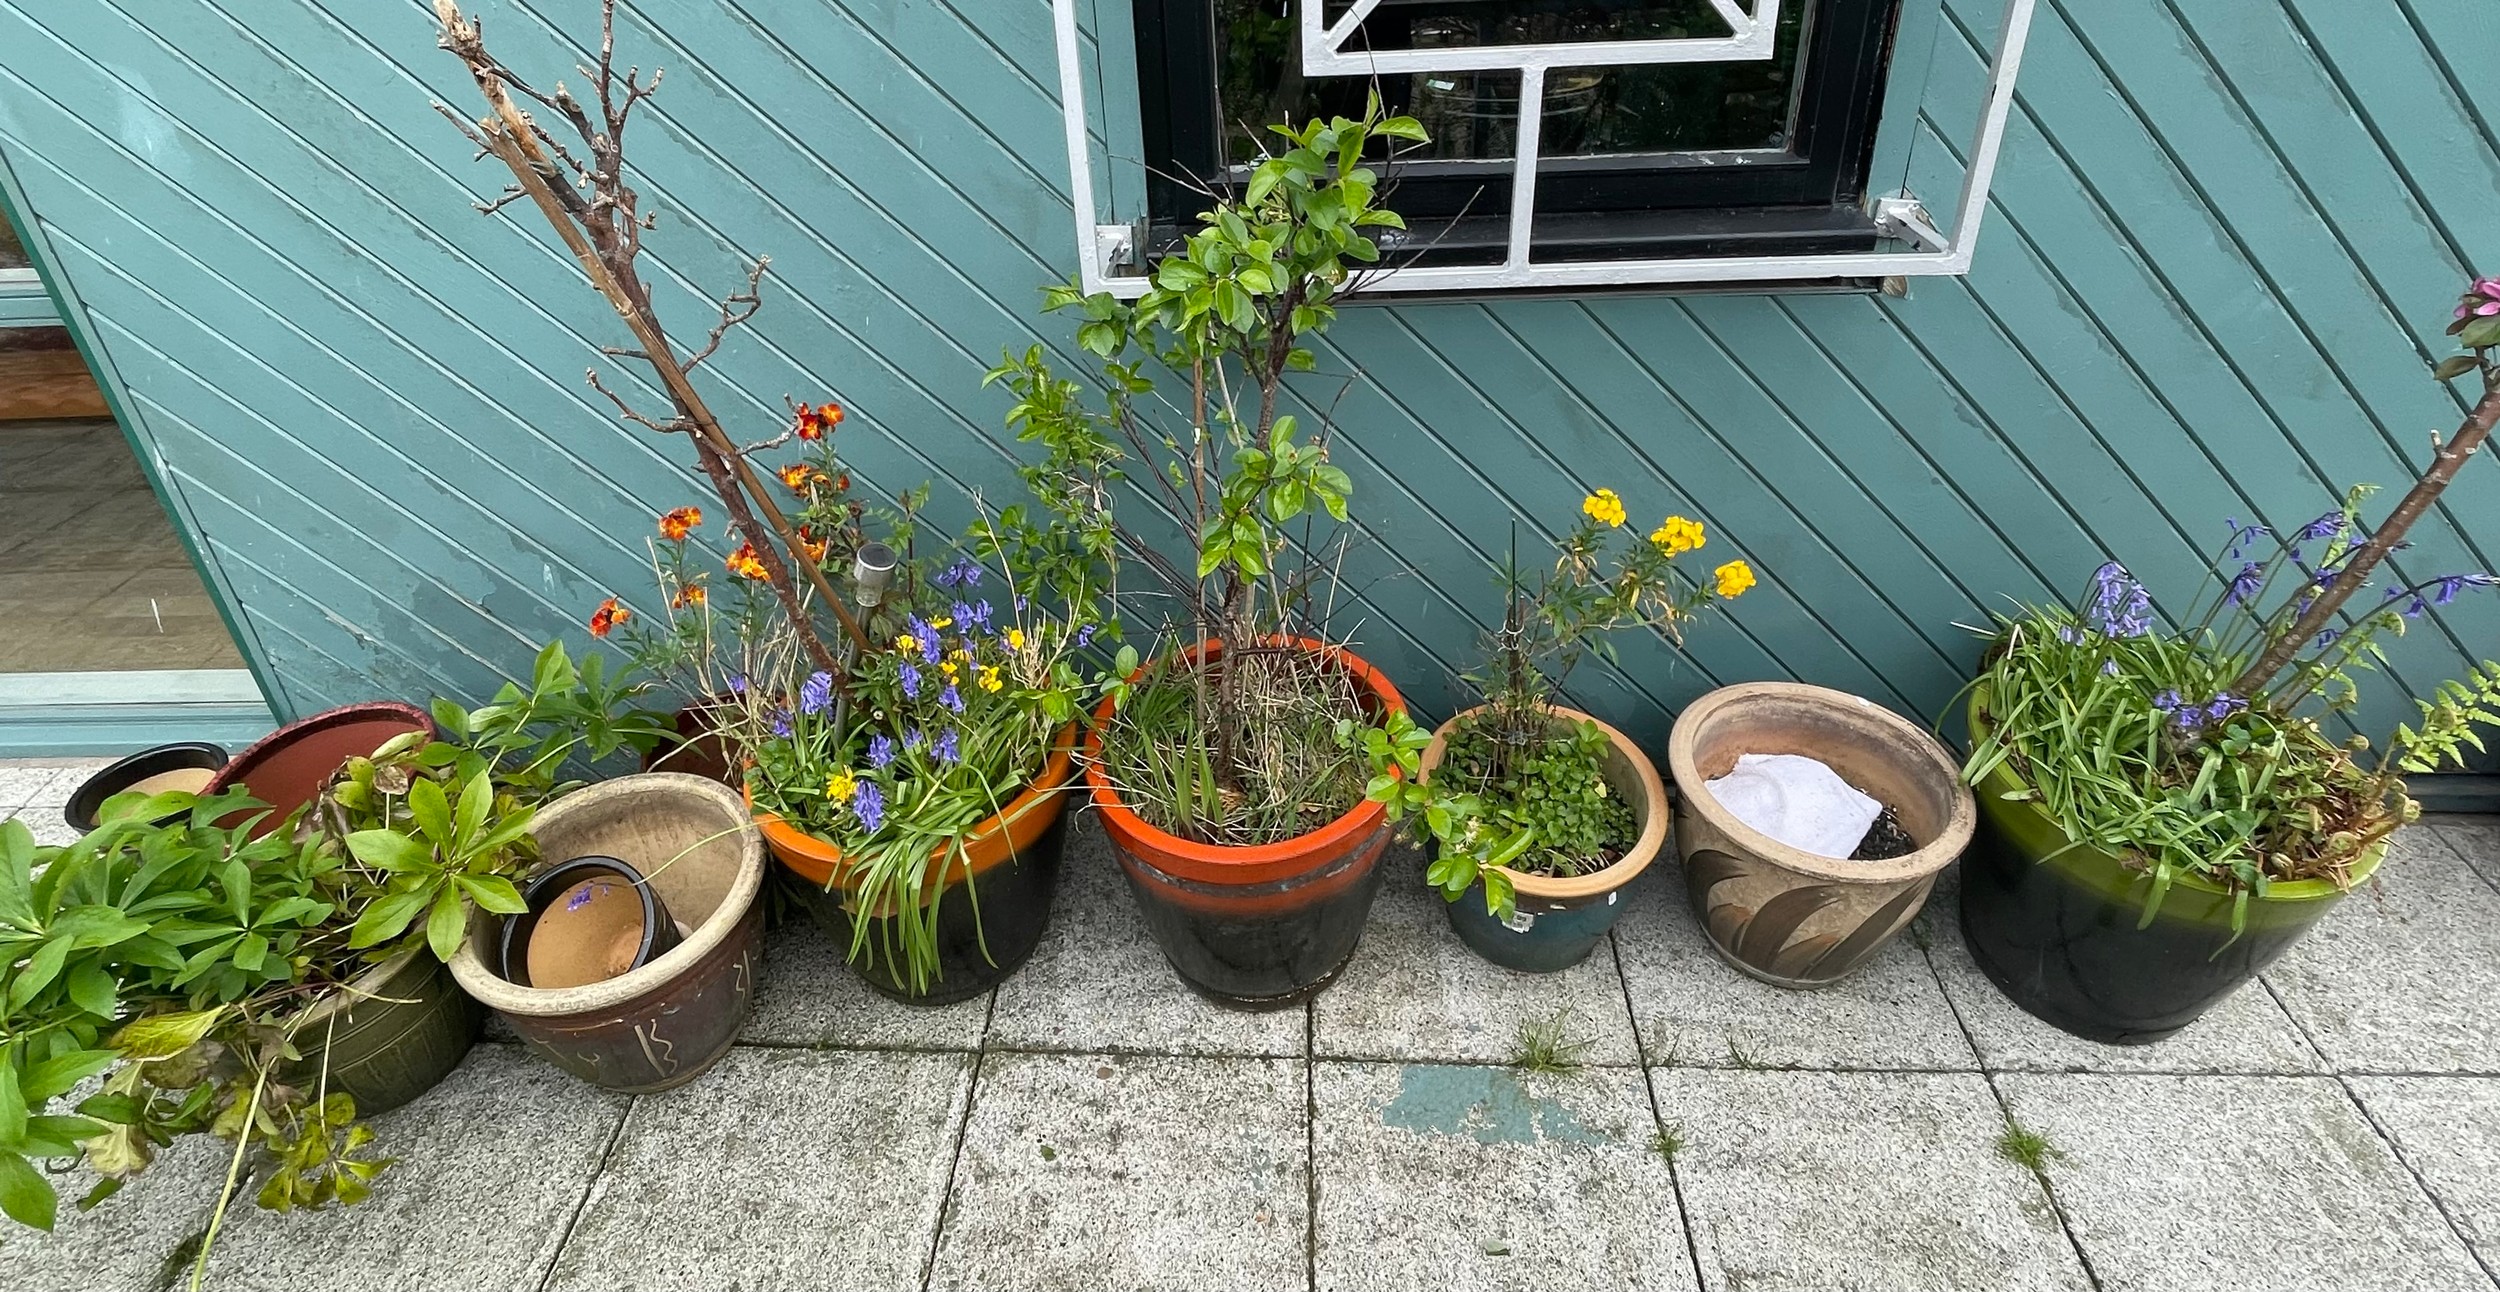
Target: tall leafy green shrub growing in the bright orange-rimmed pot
x=1241, y=751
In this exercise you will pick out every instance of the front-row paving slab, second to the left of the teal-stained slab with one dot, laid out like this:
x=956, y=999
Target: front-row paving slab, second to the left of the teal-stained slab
x=776, y=1171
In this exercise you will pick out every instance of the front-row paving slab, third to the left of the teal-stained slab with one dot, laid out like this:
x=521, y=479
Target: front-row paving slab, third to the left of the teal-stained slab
x=491, y=1166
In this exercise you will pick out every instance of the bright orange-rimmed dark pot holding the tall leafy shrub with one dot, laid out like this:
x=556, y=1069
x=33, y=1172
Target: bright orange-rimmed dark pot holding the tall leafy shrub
x=1256, y=928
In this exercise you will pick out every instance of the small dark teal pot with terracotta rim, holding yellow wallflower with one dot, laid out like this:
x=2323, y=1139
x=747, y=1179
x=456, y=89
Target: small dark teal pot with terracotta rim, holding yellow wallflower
x=1564, y=918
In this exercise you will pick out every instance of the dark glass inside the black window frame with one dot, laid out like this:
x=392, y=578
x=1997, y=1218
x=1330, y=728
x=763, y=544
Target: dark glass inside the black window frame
x=1589, y=111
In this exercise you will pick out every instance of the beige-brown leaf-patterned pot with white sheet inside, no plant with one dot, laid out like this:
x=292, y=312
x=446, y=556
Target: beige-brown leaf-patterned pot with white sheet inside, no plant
x=1781, y=913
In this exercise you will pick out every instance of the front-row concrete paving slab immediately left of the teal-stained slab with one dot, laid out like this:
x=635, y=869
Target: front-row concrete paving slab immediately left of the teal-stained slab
x=1114, y=1173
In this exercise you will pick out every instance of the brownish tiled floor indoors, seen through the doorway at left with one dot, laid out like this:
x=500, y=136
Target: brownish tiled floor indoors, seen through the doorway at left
x=91, y=571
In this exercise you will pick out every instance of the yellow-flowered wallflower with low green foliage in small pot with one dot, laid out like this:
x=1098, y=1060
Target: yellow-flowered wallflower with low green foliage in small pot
x=1519, y=786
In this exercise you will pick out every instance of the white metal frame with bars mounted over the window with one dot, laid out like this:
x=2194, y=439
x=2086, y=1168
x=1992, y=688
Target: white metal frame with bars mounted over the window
x=1109, y=254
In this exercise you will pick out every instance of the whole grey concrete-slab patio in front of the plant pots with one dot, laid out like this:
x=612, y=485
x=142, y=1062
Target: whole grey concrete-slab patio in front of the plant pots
x=1096, y=1128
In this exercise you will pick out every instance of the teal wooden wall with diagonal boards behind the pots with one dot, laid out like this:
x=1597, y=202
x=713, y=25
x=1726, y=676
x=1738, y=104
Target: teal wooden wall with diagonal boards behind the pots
x=2224, y=244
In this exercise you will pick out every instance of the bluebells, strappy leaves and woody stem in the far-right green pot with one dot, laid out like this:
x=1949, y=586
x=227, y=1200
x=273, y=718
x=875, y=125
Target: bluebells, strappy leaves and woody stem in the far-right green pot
x=2196, y=746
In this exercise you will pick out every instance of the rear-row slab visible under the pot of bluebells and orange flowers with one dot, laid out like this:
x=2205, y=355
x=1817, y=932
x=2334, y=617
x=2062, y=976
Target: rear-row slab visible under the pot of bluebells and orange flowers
x=809, y=996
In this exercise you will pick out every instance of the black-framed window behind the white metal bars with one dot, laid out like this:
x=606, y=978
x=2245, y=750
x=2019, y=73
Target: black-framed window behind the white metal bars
x=1696, y=126
